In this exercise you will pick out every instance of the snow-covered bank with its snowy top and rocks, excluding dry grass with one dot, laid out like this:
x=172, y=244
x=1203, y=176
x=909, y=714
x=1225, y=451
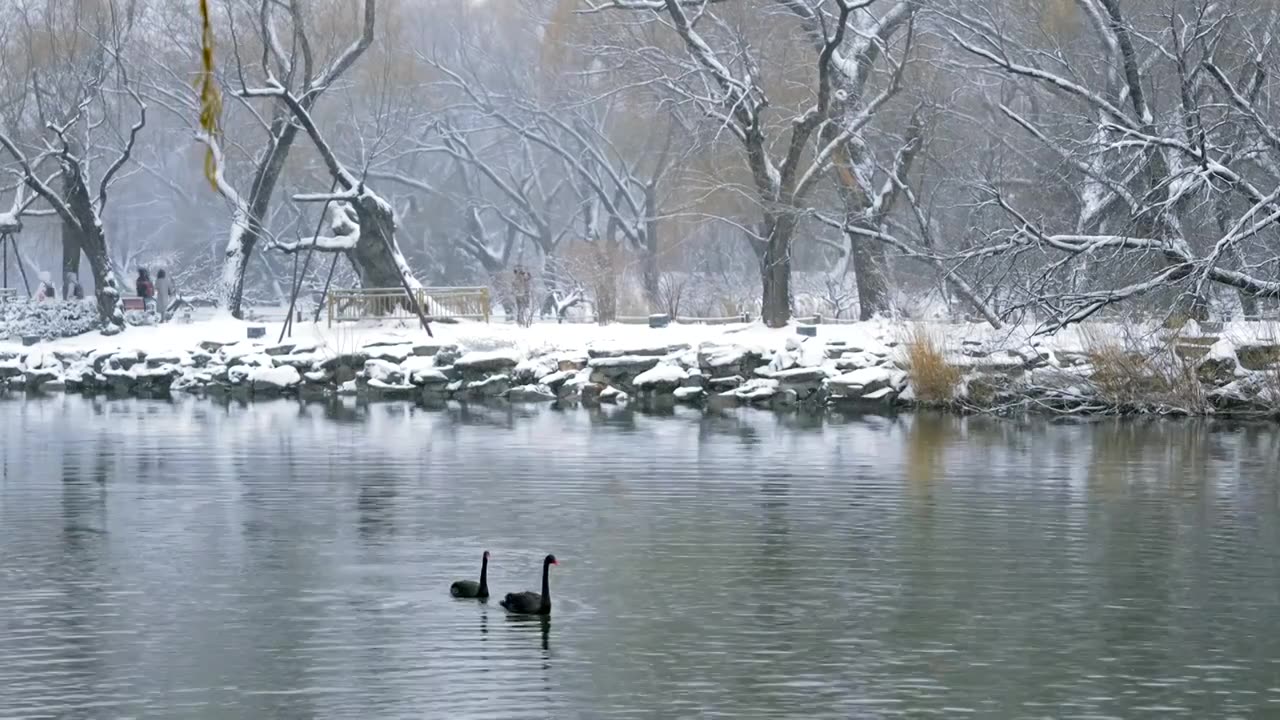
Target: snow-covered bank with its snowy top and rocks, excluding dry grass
x=858, y=366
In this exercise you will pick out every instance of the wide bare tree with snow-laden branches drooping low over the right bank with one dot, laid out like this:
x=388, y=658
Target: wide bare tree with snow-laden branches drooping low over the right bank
x=1173, y=195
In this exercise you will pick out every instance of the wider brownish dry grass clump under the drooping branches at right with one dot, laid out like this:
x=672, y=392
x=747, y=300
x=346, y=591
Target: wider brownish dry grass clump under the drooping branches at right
x=1135, y=376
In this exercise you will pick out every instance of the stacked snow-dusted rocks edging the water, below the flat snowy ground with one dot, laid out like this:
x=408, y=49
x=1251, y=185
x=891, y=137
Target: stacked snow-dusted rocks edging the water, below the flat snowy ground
x=806, y=372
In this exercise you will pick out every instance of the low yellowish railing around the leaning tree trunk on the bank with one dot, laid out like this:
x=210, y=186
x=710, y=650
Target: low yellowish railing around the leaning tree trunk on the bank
x=392, y=304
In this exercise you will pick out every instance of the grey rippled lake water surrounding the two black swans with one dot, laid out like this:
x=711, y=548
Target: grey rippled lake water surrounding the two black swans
x=277, y=560
